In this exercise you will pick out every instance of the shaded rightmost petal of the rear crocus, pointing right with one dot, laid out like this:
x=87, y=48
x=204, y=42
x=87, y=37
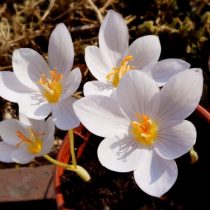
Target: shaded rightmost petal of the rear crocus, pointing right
x=167, y=68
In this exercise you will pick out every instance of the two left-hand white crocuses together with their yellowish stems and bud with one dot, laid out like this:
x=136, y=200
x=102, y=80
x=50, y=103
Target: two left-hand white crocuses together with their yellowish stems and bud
x=41, y=89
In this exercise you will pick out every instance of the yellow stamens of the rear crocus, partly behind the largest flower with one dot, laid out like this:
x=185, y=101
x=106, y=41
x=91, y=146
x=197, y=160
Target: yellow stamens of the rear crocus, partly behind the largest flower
x=116, y=74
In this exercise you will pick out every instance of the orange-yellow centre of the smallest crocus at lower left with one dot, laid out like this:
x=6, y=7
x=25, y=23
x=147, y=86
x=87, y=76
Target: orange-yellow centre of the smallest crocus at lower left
x=33, y=142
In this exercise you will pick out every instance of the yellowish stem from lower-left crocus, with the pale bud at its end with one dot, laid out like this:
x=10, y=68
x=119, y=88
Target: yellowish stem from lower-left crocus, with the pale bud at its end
x=84, y=175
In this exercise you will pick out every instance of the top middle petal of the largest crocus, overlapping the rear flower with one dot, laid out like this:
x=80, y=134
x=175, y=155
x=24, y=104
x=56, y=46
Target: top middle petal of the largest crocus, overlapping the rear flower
x=135, y=92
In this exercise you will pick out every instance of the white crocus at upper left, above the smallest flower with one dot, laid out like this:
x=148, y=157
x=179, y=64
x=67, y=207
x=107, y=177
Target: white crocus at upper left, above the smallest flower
x=40, y=89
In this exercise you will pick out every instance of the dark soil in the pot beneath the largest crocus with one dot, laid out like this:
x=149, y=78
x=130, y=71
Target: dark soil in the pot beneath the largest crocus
x=110, y=190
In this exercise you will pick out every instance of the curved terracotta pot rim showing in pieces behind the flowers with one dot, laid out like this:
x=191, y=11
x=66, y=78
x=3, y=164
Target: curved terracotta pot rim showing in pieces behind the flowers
x=64, y=154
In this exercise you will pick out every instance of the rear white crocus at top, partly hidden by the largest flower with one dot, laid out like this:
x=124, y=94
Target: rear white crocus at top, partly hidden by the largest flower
x=114, y=57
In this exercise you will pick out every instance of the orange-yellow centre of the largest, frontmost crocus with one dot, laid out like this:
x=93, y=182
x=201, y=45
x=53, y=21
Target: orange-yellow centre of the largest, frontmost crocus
x=145, y=130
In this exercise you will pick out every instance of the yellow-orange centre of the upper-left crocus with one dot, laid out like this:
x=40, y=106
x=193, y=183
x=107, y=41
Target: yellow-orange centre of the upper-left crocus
x=52, y=87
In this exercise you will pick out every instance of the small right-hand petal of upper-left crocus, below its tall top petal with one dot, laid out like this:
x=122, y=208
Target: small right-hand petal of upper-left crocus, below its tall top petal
x=71, y=82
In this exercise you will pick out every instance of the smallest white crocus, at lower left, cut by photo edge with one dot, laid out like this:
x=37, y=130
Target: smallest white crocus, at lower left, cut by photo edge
x=25, y=139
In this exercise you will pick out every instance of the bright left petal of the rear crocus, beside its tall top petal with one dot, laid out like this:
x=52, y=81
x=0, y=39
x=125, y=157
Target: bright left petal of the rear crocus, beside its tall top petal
x=98, y=64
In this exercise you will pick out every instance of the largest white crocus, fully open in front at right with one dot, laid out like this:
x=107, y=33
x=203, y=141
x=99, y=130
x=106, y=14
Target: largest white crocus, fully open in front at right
x=144, y=127
